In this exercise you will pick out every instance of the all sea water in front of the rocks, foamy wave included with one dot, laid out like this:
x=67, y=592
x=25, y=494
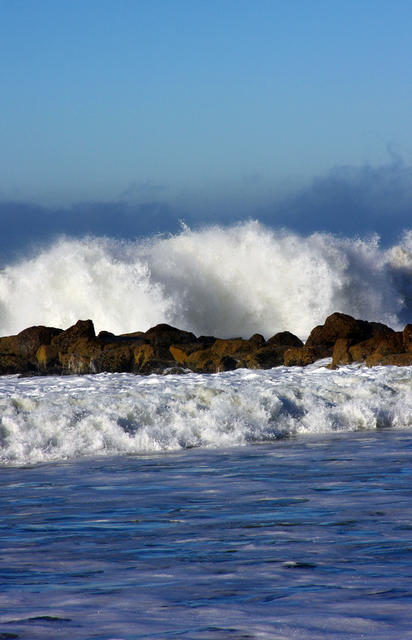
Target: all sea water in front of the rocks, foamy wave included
x=248, y=504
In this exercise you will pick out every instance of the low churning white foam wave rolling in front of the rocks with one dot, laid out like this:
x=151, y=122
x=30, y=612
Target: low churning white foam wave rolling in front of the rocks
x=56, y=418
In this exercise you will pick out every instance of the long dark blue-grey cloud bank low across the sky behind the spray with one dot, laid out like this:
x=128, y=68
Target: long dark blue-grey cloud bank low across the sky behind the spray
x=347, y=201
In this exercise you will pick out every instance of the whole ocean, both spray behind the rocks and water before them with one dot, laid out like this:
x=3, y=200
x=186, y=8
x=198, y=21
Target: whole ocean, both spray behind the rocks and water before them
x=240, y=505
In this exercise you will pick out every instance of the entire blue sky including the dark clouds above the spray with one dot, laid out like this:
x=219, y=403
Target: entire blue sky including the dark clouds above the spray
x=144, y=112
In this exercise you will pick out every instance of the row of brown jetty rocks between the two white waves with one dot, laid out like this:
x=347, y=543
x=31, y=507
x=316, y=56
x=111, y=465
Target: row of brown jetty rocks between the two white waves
x=44, y=350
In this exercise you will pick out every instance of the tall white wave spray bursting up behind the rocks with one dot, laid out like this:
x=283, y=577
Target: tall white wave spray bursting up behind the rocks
x=222, y=281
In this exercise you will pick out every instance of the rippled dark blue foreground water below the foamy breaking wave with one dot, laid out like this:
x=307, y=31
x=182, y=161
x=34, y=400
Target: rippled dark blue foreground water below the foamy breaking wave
x=305, y=538
